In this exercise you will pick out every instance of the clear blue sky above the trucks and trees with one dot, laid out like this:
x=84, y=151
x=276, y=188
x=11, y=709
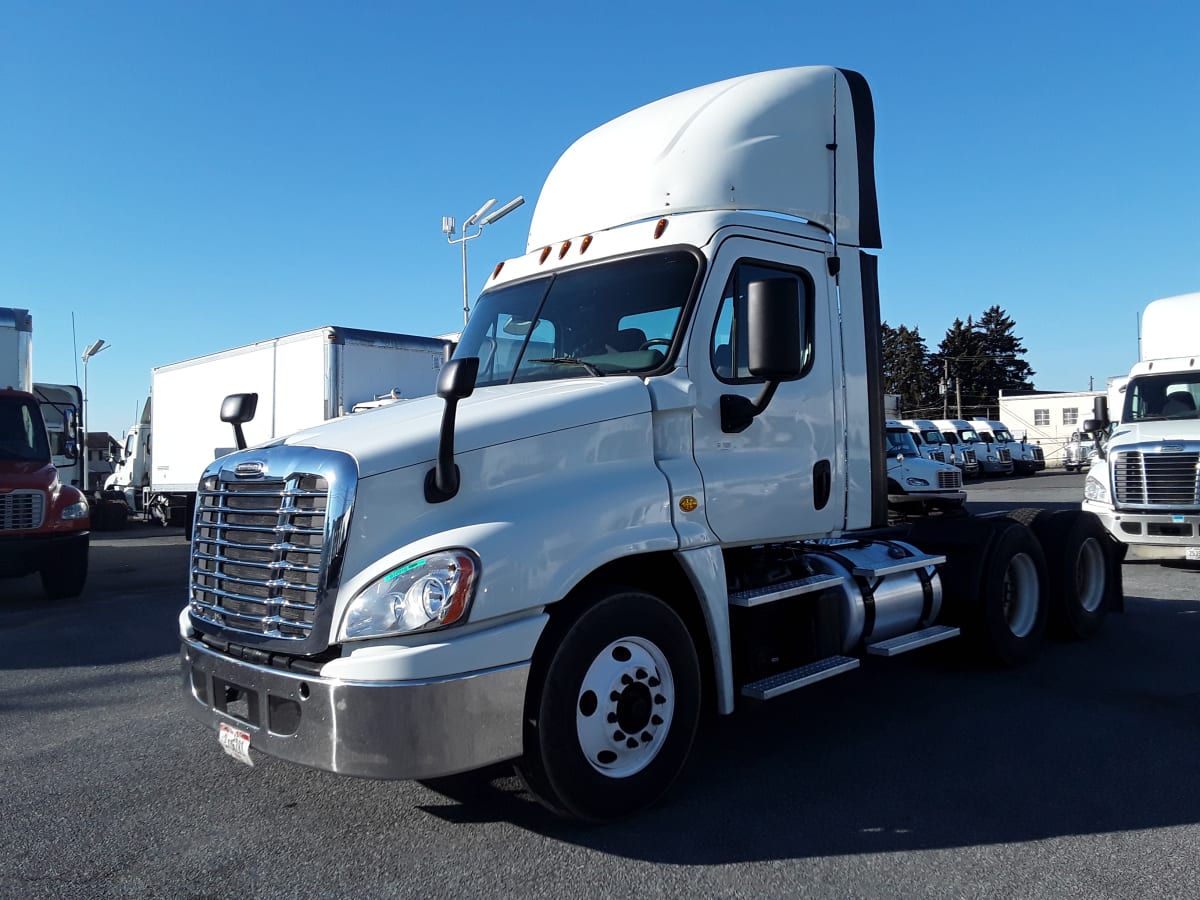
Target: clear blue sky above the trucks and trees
x=187, y=178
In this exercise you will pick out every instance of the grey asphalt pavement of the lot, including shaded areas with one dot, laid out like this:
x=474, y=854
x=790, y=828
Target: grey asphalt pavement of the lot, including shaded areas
x=919, y=777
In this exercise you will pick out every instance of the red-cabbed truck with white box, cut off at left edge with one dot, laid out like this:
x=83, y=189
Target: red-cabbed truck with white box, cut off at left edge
x=44, y=521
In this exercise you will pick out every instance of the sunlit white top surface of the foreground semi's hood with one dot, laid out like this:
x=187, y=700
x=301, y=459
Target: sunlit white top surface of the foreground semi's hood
x=406, y=434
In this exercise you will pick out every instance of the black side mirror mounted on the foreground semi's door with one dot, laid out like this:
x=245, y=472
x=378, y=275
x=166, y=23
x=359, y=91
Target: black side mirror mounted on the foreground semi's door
x=773, y=332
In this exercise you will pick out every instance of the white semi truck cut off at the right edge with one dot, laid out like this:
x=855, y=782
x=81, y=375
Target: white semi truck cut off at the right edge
x=1143, y=482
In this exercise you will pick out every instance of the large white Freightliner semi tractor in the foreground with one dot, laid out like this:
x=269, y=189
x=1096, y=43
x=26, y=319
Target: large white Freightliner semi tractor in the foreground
x=652, y=483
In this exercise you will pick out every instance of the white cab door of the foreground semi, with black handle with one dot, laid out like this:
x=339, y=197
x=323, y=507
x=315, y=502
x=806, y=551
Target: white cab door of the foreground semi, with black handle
x=783, y=476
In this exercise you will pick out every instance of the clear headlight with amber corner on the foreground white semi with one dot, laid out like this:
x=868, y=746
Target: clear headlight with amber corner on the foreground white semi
x=422, y=596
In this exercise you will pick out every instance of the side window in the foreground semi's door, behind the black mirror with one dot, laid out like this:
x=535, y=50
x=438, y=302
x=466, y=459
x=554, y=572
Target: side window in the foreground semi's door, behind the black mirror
x=730, y=346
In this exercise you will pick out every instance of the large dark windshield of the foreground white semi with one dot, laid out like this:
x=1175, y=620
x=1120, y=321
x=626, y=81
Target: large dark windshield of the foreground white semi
x=619, y=317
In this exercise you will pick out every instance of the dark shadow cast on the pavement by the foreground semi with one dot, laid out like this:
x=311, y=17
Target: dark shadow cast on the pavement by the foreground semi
x=921, y=753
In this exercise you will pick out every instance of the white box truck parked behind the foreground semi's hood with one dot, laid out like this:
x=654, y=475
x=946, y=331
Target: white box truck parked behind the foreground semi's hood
x=302, y=380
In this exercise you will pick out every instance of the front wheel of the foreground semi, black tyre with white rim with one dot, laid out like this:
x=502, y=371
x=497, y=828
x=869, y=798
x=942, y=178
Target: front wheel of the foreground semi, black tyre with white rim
x=613, y=707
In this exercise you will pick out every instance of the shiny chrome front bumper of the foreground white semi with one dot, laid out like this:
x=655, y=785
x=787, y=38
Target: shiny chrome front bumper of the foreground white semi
x=386, y=730
